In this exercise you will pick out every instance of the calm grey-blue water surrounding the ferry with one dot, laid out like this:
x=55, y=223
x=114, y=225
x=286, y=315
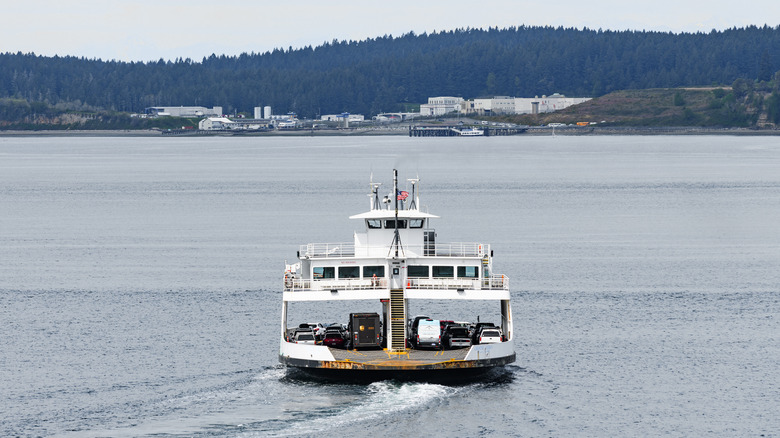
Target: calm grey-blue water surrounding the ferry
x=139, y=283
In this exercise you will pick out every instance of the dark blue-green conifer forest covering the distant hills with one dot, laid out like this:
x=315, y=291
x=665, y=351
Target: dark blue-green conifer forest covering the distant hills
x=387, y=74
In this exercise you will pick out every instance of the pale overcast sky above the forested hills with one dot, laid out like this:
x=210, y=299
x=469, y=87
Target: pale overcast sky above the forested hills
x=144, y=30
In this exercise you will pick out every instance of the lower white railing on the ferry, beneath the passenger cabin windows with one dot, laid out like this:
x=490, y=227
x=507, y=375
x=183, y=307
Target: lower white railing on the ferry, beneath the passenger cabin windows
x=494, y=282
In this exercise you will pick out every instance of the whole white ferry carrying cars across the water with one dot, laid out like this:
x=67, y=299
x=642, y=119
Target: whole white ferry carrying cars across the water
x=396, y=262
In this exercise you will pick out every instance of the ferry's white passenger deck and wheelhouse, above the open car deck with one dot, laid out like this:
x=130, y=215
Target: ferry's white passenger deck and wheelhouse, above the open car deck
x=397, y=249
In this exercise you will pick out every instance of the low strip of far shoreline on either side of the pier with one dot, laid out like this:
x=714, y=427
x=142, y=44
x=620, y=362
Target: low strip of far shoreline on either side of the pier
x=400, y=131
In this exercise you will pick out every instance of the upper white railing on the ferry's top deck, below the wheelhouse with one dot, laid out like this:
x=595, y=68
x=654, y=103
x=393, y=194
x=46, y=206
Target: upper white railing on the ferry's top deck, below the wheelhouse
x=335, y=250
